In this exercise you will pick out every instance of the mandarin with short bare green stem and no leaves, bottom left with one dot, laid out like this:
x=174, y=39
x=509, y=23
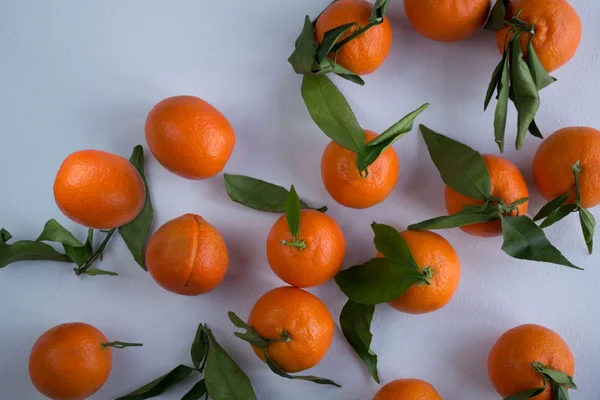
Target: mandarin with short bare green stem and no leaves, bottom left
x=68, y=363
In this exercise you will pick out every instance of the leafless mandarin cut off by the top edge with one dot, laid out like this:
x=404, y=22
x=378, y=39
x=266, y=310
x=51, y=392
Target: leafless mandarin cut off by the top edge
x=447, y=20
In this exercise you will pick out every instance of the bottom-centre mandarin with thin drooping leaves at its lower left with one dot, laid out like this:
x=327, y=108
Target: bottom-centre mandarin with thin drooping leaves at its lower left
x=304, y=317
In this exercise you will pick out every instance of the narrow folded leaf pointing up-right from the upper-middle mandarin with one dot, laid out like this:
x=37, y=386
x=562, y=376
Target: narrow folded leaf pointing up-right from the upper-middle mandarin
x=369, y=152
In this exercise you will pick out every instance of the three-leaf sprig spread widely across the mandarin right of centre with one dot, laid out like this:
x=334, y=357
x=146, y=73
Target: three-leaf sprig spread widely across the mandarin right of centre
x=464, y=170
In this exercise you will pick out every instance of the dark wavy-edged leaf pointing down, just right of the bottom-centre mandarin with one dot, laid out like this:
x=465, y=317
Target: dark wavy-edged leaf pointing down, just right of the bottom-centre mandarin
x=355, y=321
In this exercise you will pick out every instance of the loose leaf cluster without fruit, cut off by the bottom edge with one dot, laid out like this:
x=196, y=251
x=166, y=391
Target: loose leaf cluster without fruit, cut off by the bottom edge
x=223, y=379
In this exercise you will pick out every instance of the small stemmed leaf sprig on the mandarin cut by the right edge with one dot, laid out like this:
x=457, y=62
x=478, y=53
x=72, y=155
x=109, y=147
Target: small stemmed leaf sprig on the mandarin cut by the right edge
x=557, y=209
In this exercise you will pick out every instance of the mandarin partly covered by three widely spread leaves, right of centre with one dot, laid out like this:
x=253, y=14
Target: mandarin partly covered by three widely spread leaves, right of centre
x=507, y=184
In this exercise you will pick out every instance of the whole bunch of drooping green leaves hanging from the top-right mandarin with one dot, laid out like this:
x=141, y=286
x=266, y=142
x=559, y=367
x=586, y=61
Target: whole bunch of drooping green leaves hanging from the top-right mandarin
x=516, y=80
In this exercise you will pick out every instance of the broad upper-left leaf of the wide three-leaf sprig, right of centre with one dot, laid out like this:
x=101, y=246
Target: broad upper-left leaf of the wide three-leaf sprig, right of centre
x=461, y=167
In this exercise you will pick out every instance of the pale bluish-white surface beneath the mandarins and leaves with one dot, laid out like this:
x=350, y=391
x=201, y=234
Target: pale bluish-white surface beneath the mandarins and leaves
x=77, y=75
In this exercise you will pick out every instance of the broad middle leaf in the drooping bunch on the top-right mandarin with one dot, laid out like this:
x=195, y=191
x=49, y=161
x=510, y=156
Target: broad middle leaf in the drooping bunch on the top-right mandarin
x=525, y=94
